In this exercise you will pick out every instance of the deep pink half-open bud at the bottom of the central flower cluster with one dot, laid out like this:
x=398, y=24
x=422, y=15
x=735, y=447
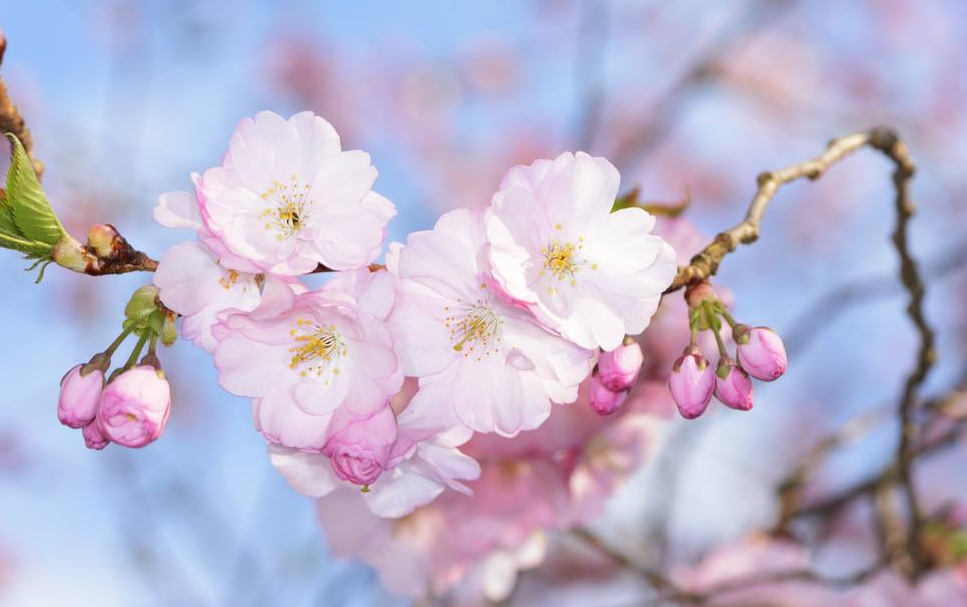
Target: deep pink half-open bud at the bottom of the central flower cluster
x=359, y=450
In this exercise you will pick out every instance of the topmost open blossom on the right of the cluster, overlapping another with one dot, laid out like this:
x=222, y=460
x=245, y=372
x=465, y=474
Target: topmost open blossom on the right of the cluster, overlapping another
x=557, y=247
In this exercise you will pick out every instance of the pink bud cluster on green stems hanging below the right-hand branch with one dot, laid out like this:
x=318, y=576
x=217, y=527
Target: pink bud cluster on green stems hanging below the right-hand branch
x=759, y=354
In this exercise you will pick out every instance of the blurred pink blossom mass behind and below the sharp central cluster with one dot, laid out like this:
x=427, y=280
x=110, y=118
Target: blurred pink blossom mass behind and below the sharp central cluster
x=471, y=550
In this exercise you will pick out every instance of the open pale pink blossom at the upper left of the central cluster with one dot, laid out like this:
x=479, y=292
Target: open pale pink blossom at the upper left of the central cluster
x=287, y=198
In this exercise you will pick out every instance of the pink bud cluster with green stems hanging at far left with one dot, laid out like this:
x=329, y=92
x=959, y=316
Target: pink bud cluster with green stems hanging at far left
x=129, y=407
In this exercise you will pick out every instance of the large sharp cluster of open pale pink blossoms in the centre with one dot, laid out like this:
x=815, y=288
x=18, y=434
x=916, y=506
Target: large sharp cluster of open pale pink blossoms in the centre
x=376, y=378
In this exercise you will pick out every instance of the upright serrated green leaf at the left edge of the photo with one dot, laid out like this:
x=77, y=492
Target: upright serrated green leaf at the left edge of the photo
x=33, y=217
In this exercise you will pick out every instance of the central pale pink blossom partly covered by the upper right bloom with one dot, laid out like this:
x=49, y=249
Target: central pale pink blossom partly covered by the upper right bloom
x=474, y=350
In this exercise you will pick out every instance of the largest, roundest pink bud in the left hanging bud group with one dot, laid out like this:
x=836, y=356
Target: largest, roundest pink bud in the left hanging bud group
x=134, y=407
